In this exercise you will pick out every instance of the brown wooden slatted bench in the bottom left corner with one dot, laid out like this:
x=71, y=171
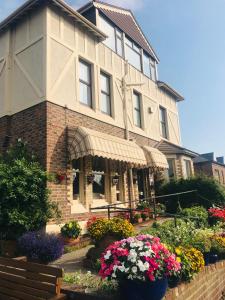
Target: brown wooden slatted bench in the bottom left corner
x=21, y=280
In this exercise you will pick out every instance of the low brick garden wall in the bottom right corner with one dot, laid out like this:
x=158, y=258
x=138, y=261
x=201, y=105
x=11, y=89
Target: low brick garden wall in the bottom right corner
x=207, y=285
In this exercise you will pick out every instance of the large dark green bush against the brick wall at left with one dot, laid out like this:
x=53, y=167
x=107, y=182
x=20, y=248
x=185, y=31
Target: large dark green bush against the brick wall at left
x=24, y=197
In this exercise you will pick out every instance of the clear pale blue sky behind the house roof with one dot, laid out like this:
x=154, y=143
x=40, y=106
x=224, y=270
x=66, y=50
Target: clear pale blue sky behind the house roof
x=188, y=37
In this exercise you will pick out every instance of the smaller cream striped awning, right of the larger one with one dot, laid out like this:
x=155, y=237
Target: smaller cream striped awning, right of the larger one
x=155, y=158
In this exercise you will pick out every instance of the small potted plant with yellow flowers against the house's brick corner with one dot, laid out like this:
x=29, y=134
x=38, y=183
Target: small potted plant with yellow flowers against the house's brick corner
x=70, y=232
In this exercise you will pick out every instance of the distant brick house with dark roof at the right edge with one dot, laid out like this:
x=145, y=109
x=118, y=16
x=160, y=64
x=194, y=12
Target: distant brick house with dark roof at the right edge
x=208, y=165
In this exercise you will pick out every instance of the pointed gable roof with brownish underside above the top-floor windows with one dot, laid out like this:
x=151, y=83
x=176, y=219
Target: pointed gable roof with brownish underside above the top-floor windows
x=125, y=20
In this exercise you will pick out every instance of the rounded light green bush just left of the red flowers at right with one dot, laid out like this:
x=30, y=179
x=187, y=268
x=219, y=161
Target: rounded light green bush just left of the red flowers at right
x=198, y=212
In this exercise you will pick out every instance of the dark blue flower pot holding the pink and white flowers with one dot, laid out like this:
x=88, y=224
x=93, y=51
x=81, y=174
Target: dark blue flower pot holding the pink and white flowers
x=151, y=290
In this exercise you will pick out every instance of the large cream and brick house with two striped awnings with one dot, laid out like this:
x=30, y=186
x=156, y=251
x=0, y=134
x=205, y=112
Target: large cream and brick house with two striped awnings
x=66, y=90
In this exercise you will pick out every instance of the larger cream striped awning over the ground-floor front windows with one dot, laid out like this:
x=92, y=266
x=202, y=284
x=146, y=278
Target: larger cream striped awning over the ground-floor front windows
x=84, y=142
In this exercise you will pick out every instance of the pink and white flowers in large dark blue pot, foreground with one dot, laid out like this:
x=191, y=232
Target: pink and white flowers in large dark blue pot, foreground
x=141, y=265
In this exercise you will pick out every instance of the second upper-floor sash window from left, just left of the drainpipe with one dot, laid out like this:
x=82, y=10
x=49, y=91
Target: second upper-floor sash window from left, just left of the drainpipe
x=105, y=94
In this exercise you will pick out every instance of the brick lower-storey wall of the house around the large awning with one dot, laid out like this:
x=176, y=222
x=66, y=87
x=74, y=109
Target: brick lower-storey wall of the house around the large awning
x=43, y=127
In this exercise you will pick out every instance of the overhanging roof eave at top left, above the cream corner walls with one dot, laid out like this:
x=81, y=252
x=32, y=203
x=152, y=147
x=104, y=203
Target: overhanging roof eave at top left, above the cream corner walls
x=73, y=14
